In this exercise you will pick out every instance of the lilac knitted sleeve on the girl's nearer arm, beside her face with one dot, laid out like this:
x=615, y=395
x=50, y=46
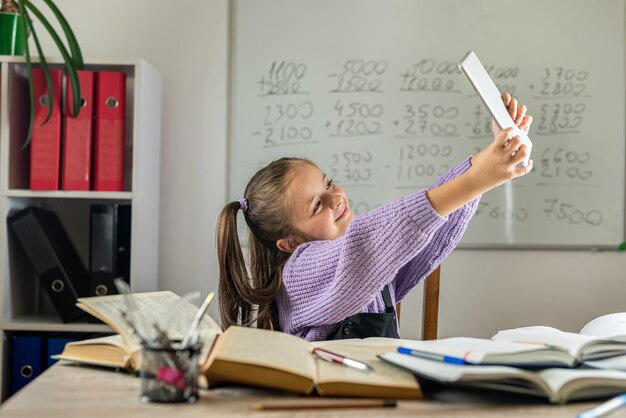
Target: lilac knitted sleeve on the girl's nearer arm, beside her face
x=326, y=281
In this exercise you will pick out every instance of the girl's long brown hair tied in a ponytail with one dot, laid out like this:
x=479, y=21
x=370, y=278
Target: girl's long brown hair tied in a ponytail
x=266, y=213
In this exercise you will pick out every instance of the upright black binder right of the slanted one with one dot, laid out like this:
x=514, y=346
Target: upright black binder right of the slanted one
x=109, y=250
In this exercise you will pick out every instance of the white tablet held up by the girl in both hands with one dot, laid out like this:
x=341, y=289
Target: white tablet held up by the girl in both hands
x=491, y=97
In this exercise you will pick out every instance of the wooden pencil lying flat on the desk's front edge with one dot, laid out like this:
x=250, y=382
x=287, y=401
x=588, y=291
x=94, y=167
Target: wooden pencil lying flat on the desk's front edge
x=323, y=404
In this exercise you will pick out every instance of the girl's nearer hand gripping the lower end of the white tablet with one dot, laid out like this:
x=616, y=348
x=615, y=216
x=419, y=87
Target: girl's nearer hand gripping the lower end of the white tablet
x=498, y=162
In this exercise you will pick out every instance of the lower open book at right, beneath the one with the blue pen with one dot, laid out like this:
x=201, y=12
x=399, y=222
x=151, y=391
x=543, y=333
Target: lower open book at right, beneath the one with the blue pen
x=558, y=385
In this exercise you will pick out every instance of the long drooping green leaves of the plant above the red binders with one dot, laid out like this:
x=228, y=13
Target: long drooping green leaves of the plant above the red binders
x=72, y=56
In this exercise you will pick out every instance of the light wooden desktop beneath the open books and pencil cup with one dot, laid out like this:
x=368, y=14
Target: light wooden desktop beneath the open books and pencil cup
x=66, y=390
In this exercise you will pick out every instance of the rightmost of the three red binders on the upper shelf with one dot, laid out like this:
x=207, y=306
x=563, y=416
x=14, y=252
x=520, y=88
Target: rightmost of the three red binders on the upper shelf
x=109, y=131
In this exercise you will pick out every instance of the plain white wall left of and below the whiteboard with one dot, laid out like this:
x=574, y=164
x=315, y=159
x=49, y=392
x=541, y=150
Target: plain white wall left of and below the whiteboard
x=187, y=41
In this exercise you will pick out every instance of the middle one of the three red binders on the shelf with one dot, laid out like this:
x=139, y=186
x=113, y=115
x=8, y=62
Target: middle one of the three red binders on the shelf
x=76, y=161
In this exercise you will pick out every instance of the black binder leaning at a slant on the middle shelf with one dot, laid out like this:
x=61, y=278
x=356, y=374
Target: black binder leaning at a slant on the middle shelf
x=56, y=262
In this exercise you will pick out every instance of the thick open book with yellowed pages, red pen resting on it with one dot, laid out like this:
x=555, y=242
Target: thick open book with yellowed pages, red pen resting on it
x=277, y=360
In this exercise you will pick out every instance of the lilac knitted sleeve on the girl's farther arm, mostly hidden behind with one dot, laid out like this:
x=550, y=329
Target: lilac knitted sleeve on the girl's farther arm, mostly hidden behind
x=444, y=240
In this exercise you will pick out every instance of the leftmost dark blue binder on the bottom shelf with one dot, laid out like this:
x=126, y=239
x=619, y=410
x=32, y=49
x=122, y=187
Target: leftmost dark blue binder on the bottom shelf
x=26, y=361
